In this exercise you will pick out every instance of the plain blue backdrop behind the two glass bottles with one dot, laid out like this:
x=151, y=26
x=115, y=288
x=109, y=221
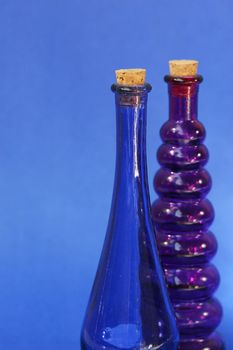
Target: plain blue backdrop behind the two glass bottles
x=57, y=145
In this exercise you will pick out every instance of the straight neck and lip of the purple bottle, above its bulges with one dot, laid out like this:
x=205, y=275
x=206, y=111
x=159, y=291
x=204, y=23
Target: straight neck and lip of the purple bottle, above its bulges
x=183, y=97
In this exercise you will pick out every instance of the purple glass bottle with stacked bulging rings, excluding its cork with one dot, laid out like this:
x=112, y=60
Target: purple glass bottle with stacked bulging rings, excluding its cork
x=182, y=216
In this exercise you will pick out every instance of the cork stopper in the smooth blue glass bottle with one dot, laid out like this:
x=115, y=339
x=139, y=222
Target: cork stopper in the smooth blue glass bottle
x=131, y=77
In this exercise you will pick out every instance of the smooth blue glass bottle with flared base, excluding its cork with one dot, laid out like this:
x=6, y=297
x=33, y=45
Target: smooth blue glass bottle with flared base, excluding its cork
x=129, y=307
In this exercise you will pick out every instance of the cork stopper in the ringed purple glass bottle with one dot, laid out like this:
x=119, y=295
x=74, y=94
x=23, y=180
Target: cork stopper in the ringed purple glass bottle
x=182, y=68
